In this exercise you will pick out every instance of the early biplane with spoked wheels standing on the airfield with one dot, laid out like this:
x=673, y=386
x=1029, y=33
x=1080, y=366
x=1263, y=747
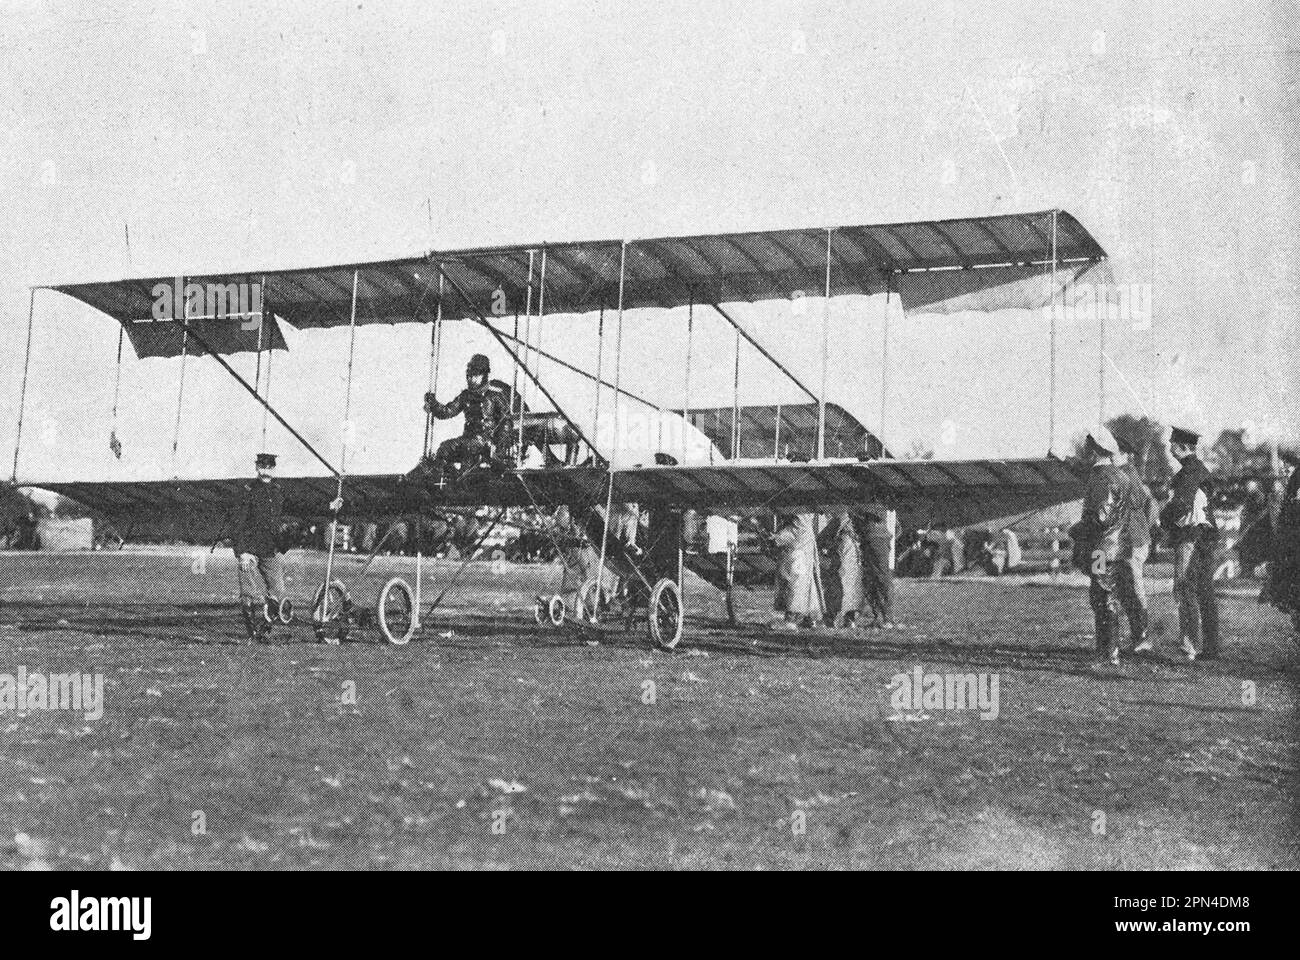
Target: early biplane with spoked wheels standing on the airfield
x=551, y=457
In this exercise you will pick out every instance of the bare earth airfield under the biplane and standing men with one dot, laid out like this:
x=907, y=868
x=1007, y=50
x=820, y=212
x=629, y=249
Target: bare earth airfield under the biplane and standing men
x=493, y=742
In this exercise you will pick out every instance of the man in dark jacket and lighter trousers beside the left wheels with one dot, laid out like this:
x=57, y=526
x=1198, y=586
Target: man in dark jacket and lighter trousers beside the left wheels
x=257, y=544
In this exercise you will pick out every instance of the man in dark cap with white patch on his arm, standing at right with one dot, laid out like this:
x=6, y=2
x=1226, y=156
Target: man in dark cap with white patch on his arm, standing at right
x=1190, y=522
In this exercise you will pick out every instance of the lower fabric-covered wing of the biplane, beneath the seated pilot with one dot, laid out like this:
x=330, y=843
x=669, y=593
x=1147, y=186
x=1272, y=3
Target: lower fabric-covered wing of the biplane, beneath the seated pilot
x=952, y=494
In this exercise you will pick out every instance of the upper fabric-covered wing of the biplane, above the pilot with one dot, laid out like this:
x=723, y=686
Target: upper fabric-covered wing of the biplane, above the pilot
x=934, y=266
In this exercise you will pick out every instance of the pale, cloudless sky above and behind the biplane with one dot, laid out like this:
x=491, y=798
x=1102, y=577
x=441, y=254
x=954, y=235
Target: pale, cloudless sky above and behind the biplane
x=259, y=137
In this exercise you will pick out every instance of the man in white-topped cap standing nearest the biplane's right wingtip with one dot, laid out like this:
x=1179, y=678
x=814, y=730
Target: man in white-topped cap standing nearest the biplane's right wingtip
x=1106, y=516
